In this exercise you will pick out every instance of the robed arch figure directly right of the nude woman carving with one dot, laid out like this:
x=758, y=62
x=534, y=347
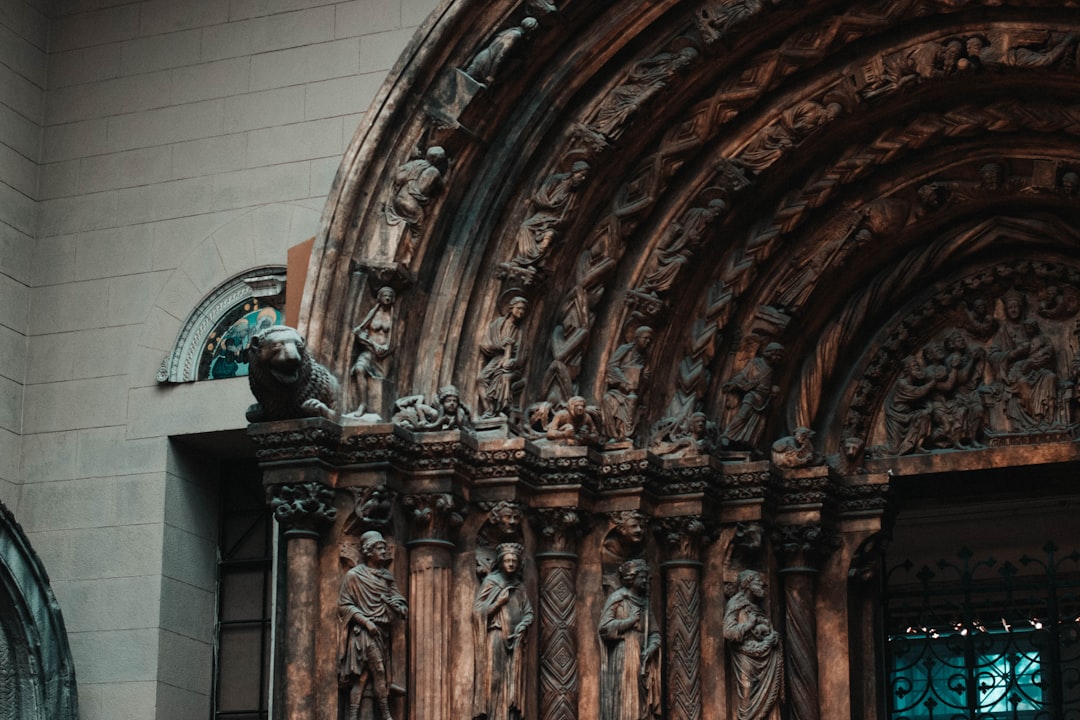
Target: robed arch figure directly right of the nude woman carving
x=502, y=378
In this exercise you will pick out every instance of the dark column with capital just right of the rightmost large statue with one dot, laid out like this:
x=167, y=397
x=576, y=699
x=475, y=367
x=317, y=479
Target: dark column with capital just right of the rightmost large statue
x=801, y=549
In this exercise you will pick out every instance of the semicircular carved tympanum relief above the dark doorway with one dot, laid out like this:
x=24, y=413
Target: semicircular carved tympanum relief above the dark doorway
x=992, y=378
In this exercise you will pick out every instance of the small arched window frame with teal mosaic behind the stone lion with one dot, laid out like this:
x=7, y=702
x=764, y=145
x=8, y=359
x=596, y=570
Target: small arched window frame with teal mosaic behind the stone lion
x=213, y=343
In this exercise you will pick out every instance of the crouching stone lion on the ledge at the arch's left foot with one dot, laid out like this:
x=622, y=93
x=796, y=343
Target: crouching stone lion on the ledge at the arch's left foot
x=287, y=383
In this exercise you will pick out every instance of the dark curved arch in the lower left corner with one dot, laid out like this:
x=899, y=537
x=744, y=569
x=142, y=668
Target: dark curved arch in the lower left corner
x=37, y=672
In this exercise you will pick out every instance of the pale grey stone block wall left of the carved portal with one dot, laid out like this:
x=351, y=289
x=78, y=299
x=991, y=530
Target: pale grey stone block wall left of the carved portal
x=151, y=152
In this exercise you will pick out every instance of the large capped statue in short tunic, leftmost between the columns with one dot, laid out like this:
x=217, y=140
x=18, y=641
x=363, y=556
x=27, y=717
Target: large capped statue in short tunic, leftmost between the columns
x=369, y=603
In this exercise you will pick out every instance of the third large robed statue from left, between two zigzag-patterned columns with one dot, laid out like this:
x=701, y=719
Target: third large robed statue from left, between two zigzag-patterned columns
x=630, y=657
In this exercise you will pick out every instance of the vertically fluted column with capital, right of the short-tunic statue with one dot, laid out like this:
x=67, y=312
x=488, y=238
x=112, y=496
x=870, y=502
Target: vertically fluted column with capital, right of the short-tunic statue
x=433, y=518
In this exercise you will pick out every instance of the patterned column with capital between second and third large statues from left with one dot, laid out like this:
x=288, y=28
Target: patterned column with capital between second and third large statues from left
x=559, y=532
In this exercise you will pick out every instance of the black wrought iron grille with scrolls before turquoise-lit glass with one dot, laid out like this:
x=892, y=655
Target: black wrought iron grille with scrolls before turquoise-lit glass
x=975, y=640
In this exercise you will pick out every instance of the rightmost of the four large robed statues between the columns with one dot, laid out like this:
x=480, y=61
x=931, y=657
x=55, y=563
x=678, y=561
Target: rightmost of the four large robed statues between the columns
x=757, y=653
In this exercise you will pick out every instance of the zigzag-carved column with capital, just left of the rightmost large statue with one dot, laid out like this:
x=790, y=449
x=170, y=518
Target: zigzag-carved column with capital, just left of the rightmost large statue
x=681, y=540
